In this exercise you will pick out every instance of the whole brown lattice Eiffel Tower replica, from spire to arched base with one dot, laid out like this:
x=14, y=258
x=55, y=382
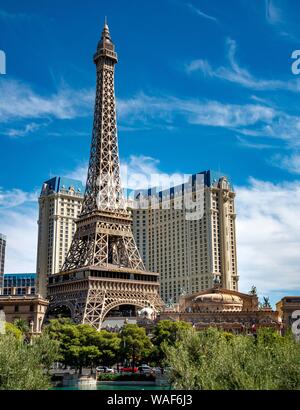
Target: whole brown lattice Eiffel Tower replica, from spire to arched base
x=103, y=268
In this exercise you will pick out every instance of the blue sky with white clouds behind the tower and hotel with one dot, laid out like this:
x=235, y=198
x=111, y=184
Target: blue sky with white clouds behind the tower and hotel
x=200, y=85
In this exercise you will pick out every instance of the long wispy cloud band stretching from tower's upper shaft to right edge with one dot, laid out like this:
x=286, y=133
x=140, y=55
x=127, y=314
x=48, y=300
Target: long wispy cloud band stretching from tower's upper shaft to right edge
x=252, y=119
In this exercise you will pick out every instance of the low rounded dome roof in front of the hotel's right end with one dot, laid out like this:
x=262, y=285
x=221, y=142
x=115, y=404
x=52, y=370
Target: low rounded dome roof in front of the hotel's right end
x=218, y=301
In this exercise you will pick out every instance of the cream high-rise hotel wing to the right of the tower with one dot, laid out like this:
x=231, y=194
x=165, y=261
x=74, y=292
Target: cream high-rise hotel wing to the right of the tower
x=189, y=254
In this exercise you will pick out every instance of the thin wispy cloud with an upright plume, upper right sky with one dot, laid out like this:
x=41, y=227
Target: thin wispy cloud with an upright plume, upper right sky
x=234, y=73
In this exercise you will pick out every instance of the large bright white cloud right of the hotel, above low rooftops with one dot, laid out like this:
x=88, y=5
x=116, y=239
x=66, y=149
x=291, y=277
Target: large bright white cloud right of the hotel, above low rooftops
x=268, y=236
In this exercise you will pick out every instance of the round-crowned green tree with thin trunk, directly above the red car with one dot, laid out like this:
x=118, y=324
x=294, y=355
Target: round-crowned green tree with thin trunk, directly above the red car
x=135, y=344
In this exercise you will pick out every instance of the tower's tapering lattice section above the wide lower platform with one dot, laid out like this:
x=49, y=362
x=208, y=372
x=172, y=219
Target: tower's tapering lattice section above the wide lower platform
x=103, y=212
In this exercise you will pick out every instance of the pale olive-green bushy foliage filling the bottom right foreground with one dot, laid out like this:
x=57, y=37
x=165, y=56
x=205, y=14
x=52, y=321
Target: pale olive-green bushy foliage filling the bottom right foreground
x=210, y=360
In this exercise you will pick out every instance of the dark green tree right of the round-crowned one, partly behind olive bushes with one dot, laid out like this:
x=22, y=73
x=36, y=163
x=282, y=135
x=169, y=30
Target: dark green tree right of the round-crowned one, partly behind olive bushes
x=166, y=333
